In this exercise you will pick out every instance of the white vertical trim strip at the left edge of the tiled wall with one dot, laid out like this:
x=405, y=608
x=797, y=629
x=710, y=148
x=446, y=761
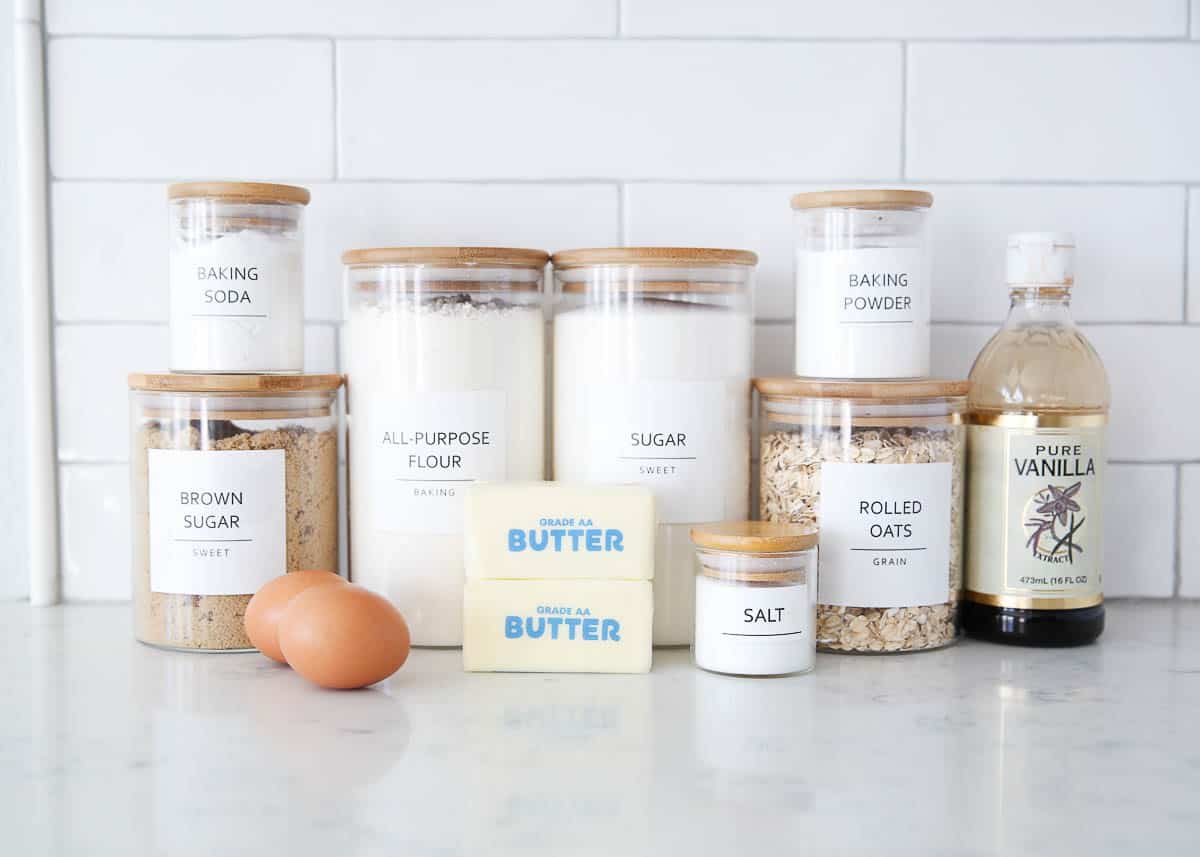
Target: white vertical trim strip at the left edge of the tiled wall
x=33, y=272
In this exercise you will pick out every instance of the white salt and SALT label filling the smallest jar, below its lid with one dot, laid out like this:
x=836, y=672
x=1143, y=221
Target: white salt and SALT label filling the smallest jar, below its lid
x=753, y=630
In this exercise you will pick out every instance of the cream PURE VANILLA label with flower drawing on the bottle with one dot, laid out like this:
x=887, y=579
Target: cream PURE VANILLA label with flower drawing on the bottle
x=1036, y=516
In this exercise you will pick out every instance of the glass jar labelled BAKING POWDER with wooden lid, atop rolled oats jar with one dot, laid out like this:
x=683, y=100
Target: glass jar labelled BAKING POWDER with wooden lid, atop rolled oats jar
x=862, y=284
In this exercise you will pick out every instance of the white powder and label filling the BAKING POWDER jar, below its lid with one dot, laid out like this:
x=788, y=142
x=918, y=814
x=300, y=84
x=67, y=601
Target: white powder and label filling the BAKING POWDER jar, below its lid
x=865, y=314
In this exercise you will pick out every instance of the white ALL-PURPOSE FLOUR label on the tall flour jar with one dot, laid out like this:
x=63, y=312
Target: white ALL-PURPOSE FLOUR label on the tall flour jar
x=429, y=448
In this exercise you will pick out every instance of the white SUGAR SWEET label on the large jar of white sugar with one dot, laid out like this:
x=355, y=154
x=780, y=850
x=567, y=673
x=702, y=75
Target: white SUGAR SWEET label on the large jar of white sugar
x=665, y=435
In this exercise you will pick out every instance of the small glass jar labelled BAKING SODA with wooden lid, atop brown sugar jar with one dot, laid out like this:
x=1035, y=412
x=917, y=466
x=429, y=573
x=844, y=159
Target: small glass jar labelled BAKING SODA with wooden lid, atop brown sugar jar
x=237, y=277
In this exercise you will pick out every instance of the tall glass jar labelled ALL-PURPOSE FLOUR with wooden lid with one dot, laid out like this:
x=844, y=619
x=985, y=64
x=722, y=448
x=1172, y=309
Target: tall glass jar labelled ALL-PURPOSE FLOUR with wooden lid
x=445, y=350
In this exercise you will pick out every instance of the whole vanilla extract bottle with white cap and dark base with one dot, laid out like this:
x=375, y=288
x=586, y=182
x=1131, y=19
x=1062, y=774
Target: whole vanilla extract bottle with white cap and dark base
x=1039, y=409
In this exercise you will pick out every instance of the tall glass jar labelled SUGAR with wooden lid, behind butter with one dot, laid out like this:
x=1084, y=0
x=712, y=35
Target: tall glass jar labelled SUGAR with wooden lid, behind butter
x=653, y=353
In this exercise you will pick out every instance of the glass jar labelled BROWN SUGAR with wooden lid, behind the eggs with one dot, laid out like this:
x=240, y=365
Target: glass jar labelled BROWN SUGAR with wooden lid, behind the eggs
x=235, y=482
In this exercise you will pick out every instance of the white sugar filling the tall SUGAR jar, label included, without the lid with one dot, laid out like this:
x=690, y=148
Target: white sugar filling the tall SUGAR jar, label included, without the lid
x=657, y=393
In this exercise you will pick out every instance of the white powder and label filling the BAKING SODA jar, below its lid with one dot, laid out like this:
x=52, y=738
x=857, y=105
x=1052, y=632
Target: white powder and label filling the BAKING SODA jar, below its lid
x=237, y=304
